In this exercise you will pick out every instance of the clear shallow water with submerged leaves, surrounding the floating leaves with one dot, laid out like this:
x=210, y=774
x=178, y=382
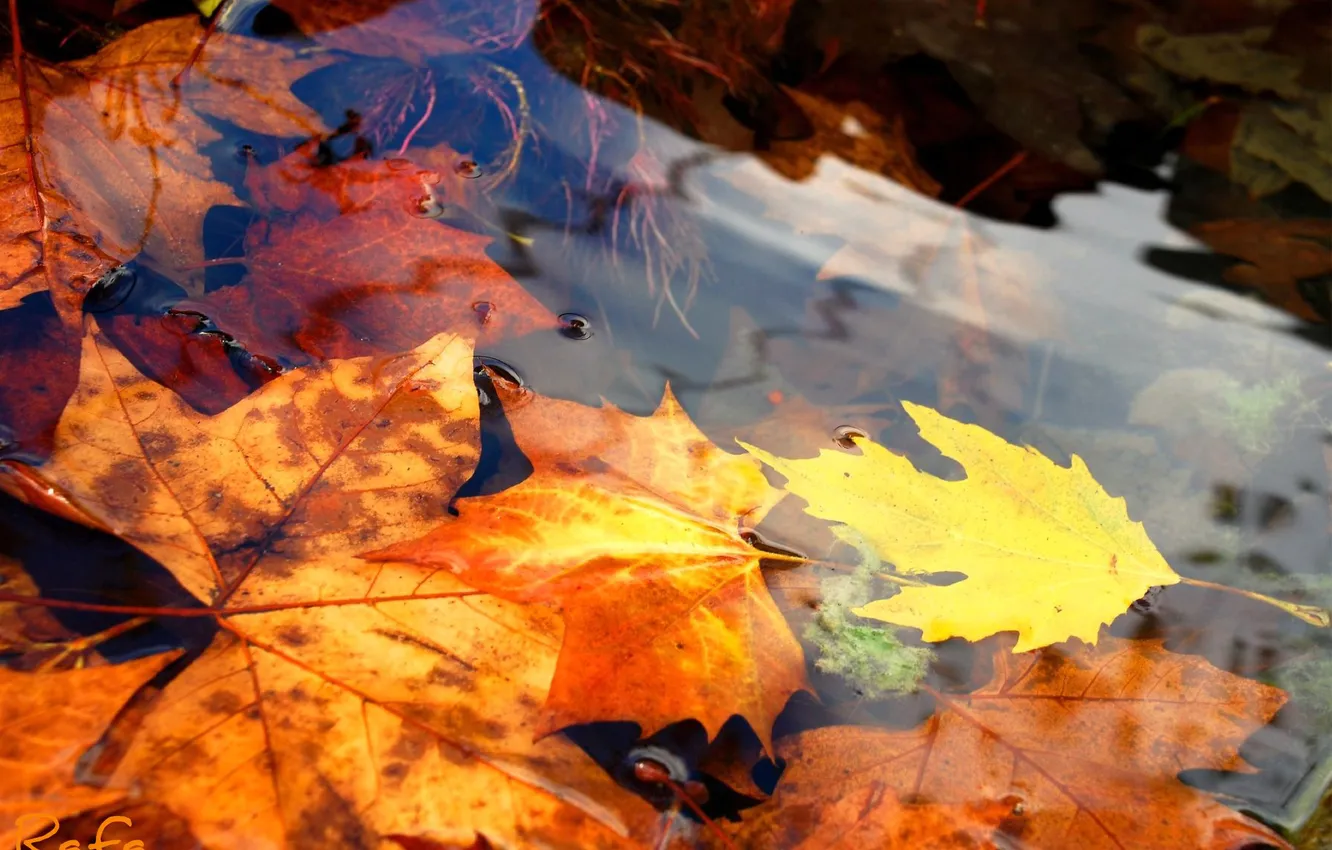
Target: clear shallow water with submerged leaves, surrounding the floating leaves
x=785, y=250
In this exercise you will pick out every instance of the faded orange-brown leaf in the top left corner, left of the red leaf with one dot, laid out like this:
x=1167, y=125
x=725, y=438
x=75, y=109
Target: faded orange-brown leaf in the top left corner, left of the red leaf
x=118, y=165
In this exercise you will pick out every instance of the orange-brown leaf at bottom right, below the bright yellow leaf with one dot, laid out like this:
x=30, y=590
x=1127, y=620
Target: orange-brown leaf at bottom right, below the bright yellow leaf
x=1082, y=748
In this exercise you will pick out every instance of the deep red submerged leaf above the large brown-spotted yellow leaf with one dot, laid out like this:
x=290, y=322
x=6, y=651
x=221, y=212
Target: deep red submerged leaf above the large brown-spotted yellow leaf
x=350, y=263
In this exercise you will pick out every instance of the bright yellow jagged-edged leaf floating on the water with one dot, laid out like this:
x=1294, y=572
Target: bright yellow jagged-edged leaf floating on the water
x=1046, y=552
